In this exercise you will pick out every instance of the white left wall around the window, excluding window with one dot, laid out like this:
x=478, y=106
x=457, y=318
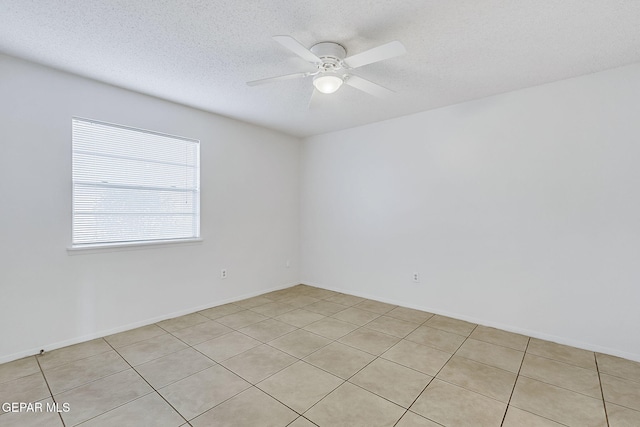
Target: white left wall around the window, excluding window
x=49, y=298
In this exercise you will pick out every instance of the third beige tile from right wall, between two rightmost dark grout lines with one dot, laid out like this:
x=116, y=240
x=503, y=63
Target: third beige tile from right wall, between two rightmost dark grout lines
x=558, y=404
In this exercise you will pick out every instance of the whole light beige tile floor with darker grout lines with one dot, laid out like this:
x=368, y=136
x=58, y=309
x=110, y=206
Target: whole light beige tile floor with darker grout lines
x=305, y=356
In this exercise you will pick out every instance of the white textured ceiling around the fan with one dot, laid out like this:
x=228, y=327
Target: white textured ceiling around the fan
x=201, y=53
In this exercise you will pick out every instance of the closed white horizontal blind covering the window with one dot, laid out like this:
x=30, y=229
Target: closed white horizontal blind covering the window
x=132, y=185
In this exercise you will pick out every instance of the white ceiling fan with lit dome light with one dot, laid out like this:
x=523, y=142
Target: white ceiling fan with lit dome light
x=334, y=67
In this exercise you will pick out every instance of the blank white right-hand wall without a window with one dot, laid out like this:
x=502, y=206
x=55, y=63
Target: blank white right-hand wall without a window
x=519, y=211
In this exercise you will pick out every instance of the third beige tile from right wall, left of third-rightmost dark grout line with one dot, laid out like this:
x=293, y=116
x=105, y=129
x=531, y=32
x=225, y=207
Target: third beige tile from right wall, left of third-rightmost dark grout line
x=416, y=356
